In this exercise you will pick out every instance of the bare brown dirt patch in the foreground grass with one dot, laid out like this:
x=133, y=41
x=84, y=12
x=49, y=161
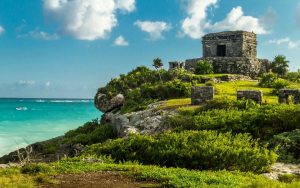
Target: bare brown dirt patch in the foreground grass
x=99, y=180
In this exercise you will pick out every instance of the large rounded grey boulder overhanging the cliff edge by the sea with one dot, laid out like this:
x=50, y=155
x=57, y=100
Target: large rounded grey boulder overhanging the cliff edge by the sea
x=105, y=105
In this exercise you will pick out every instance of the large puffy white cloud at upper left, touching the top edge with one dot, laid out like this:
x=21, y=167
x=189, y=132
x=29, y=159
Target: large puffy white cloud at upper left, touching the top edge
x=87, y=19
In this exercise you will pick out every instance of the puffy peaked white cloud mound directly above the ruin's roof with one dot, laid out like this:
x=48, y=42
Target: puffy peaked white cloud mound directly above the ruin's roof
x=236, y=20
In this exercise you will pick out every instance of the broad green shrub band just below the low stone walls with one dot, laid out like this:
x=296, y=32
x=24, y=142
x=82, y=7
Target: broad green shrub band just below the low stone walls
x=260, y=121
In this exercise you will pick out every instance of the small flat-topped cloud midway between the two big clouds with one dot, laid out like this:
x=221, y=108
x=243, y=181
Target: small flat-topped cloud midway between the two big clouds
x=154, y=29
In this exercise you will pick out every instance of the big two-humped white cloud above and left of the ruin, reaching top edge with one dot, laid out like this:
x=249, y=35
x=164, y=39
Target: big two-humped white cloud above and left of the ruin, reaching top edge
x=196, y=24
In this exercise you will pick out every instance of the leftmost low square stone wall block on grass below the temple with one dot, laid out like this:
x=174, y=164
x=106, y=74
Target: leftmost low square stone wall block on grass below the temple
x=202, y=94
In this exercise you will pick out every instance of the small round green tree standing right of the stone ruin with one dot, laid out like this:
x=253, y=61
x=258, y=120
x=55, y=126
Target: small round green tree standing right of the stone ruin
x=280, y=65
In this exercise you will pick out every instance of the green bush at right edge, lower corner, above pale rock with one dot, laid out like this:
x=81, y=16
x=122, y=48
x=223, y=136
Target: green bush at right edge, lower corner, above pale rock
x=289, y=146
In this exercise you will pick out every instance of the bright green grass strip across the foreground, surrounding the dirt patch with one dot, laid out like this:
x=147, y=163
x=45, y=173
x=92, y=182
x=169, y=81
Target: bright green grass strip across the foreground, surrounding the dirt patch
x=174, y=177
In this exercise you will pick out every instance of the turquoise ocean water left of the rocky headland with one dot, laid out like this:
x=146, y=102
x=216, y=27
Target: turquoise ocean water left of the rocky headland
x=25, y=121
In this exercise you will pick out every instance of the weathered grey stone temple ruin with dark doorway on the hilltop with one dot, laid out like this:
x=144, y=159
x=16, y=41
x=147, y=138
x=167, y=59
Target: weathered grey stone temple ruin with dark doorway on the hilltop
x=231, y=52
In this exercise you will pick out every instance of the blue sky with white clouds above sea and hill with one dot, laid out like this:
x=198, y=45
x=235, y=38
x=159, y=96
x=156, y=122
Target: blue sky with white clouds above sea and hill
x=69, y=48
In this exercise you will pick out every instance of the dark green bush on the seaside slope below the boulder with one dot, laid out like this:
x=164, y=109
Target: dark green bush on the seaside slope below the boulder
x=90, y=133
